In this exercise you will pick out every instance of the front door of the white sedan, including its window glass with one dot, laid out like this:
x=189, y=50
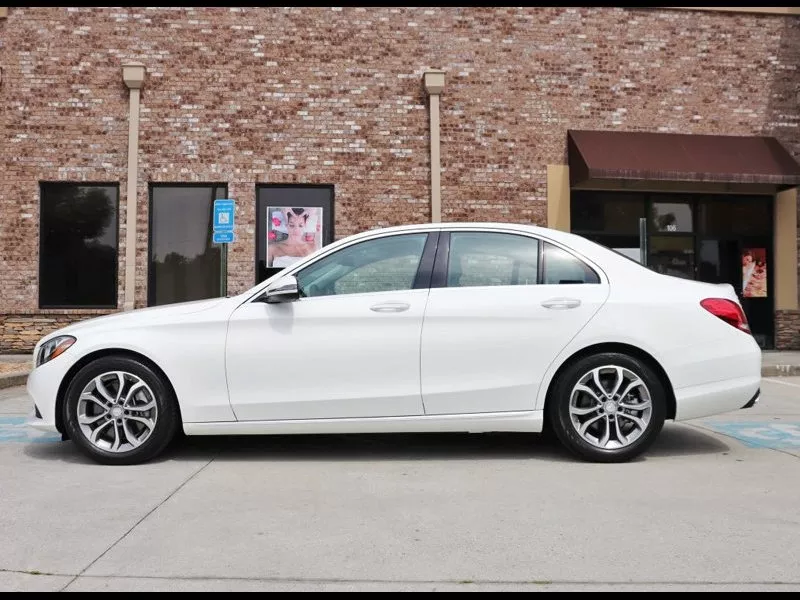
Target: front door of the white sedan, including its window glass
x=348, y=347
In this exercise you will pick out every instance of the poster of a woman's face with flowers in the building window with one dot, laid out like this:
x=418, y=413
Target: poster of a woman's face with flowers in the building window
x=292, y=233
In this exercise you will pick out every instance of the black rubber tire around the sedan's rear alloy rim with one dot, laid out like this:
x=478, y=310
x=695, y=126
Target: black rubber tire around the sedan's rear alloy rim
x=560, y=420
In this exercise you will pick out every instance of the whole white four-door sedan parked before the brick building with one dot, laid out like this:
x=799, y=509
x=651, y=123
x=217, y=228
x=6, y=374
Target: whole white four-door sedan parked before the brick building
x=438, y=327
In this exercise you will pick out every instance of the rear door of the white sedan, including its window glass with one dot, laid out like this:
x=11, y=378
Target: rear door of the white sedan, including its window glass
x=501, y=308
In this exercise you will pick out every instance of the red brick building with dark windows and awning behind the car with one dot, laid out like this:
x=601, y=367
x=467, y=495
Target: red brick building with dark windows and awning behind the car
x=558, y=116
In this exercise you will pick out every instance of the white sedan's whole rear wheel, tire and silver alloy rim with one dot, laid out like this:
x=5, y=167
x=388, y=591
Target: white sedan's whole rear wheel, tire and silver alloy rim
x=609, y=407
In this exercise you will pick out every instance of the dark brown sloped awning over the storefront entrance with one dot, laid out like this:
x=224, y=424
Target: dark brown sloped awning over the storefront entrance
x=622, y=155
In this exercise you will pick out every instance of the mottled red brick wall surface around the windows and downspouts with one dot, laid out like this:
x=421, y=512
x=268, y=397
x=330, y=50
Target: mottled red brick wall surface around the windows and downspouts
x=335, y=96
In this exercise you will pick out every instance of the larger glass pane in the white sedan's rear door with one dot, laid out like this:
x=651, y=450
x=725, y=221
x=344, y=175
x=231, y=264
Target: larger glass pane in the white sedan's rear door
x=479, y=259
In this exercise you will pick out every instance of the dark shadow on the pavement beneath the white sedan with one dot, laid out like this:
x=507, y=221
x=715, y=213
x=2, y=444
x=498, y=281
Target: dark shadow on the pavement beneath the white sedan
x=674, y=440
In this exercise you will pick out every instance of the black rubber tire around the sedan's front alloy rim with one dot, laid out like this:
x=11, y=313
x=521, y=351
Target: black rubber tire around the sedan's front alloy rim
x=166, y=421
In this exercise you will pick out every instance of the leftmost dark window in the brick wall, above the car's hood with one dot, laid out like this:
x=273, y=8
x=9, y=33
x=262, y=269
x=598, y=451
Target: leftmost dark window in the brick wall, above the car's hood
x=78, y=251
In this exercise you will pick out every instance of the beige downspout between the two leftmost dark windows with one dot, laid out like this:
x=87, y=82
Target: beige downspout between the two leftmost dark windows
x=133, y=75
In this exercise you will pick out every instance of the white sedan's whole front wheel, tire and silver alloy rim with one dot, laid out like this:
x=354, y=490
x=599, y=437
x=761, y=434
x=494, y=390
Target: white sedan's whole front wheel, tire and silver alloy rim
x=119, y=411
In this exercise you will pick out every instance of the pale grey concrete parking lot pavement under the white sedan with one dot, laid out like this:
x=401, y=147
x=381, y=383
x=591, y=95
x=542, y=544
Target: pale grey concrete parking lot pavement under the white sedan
x=713, y=506
